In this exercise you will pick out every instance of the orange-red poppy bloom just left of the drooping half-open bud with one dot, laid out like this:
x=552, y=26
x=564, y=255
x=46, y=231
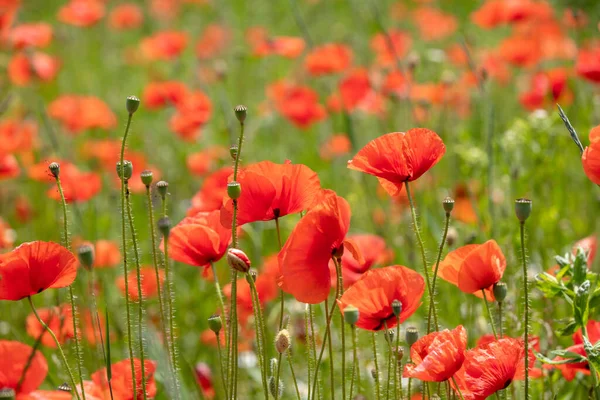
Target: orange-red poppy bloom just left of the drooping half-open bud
x=199, y=240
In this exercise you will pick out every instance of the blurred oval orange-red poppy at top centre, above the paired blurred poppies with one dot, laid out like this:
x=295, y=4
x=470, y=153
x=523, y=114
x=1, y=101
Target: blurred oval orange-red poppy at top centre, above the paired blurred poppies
x=328, y=59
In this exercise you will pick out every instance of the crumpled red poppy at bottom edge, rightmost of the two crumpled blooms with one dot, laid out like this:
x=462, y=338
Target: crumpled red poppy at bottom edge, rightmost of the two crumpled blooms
x=490, y=368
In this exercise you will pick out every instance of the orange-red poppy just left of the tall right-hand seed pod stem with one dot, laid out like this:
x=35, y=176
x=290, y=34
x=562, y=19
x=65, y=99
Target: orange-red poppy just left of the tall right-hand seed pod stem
x=474, y=267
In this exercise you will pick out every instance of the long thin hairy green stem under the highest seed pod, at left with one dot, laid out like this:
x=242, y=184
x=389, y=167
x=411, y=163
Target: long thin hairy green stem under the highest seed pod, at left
x=124, y=249
